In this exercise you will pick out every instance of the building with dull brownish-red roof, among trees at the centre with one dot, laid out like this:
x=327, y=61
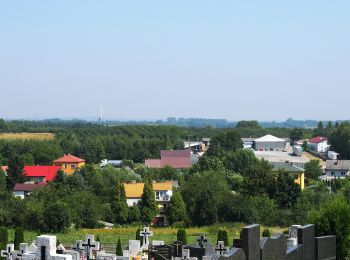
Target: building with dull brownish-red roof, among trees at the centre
x=178, y=159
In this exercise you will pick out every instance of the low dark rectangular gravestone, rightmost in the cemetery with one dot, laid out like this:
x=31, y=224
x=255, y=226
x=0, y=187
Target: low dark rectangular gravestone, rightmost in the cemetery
x=325, y=248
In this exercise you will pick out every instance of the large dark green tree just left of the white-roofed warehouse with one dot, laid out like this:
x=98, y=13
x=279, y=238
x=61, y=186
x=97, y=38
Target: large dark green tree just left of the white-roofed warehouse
x=225, y=142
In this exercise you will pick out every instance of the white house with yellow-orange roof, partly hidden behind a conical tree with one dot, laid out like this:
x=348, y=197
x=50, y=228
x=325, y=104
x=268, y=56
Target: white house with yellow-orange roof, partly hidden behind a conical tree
x=162, y=192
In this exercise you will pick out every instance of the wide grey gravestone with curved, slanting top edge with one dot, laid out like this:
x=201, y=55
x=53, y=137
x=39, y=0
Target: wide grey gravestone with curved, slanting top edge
x=273, y=248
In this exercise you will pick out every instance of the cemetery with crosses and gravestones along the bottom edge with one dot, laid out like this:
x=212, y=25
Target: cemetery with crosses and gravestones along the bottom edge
x=300, y=243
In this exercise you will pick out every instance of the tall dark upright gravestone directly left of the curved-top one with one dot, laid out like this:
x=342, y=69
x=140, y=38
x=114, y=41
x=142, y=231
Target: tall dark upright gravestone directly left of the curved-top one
x=251, y=242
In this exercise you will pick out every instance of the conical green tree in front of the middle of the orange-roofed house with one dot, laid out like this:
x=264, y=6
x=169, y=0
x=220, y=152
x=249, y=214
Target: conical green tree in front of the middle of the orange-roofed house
x=149, y=207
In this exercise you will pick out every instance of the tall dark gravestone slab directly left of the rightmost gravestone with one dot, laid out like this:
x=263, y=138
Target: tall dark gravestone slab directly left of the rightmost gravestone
x=306, y=237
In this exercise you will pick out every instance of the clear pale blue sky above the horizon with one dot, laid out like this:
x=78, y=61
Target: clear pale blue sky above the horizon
x=261, y=60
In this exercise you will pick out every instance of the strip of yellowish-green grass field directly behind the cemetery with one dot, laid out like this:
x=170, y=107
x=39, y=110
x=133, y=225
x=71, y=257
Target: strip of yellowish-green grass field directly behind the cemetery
x=109, y=237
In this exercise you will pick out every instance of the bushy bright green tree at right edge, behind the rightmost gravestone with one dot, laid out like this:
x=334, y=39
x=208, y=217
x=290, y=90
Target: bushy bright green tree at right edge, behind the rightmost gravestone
x=333, y=218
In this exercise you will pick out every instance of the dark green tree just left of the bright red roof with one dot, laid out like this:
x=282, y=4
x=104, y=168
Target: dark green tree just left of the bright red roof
x=15, y=172
